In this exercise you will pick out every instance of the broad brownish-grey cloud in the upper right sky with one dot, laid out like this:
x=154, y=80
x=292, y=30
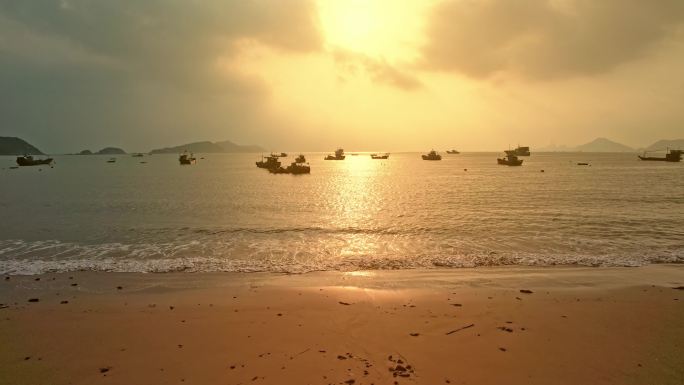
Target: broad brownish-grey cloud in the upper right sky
x=545, y=39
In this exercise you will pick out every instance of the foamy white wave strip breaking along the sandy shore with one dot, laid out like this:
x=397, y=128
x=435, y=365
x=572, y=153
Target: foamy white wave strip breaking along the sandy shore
x=20, y=257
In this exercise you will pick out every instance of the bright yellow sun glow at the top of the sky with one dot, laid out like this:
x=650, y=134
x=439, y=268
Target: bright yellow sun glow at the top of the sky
x=388, y=28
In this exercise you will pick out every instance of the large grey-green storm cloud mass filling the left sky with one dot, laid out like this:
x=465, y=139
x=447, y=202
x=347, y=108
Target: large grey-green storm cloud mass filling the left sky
x=87, y=67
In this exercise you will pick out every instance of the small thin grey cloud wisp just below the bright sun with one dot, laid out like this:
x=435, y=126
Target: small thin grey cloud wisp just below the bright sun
x=379, y=70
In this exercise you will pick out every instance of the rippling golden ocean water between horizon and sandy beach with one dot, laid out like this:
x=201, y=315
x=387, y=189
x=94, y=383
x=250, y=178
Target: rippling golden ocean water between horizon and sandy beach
x=224, y=214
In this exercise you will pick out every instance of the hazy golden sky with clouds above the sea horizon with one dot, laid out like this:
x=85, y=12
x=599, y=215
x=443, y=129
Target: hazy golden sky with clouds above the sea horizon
x=307, y=75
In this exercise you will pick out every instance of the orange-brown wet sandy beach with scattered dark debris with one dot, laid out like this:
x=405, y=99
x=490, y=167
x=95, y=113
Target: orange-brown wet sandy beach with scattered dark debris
x=467, y=326
